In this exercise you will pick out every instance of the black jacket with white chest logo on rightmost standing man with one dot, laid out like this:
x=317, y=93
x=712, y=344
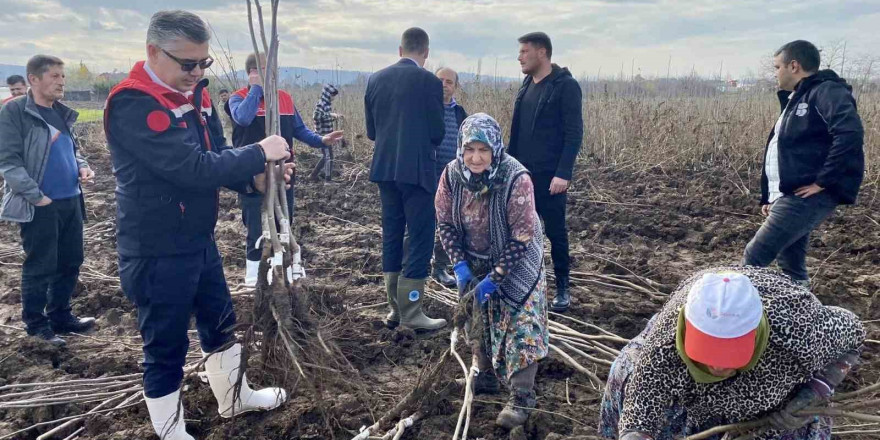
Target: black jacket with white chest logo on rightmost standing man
x=820, y=139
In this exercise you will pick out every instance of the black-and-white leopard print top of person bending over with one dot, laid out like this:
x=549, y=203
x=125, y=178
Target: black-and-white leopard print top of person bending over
x=804, y=337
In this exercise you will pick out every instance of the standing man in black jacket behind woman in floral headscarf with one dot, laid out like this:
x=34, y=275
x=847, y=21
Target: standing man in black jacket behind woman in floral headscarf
x=545, y=136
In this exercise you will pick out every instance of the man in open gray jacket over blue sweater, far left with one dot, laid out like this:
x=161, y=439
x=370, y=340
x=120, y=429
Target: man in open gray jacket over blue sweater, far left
x=42, y=173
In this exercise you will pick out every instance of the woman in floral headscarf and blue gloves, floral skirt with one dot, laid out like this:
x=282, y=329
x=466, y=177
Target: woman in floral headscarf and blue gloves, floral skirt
x=488, y=225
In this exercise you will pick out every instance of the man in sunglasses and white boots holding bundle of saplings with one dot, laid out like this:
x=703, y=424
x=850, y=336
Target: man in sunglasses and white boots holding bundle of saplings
x=170, y=160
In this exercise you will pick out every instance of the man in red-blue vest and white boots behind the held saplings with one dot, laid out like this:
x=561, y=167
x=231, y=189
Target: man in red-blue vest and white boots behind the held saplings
x=248, y=111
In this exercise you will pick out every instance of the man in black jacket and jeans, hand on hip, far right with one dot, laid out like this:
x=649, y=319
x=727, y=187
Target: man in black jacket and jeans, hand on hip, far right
x=814, y=159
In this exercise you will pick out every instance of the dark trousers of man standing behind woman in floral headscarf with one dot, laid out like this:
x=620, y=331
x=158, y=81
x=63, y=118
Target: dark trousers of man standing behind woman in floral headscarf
x=552, y=208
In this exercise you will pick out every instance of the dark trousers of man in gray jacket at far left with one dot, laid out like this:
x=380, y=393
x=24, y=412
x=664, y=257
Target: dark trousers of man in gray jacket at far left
x=53, y=247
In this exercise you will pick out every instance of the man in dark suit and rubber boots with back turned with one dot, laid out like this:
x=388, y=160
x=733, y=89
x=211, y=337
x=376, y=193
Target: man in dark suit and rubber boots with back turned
x=404, y=116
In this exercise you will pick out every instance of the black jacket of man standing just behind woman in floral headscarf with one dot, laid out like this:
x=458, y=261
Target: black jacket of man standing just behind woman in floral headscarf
x=557, y=128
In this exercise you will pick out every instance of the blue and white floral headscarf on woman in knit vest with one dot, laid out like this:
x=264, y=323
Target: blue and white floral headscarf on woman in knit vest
x=483, y=128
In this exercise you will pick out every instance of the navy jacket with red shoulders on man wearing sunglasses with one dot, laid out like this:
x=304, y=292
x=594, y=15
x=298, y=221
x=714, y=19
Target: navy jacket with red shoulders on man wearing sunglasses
x=170, y=160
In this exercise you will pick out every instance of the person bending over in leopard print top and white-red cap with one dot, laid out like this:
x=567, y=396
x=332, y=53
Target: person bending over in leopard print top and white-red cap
x=732, y=344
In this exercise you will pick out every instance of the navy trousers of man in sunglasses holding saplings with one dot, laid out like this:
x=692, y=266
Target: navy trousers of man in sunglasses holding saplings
x=167, y=292
